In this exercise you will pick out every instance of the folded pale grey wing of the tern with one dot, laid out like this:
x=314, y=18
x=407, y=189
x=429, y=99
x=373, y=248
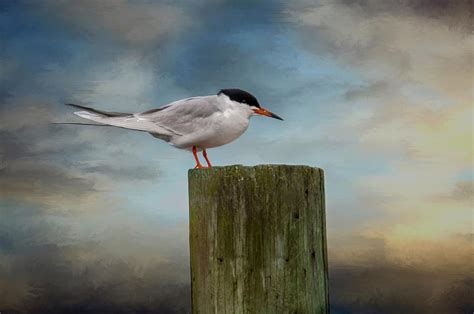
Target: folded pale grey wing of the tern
x=185, y=116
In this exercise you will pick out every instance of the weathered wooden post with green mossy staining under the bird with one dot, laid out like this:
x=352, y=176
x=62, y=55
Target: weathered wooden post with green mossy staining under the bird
x=258, y=240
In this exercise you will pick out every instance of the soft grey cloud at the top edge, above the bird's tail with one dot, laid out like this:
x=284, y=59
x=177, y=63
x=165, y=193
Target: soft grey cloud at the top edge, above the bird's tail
x=137, y=24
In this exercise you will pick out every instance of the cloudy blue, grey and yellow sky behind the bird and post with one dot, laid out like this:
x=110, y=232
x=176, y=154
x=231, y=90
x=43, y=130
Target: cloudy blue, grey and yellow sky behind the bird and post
x=378, y=94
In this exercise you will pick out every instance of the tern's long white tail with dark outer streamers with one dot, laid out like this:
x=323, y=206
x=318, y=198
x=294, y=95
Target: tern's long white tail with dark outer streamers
x=117, y=119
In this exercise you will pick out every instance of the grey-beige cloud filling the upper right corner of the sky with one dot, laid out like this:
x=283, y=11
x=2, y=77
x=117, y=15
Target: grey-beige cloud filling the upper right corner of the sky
x=397, y=45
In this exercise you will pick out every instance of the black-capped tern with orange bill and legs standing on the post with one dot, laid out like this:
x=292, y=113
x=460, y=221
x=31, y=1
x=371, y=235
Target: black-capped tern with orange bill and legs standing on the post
x=196, y=123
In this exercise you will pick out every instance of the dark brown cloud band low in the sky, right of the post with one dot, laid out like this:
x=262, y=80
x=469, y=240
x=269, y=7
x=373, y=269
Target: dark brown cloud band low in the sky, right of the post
x=391, y=288
